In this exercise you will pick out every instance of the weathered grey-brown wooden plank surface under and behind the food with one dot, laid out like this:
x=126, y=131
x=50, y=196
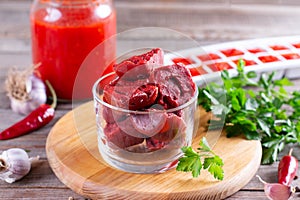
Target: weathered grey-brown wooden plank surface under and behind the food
x=207, y=22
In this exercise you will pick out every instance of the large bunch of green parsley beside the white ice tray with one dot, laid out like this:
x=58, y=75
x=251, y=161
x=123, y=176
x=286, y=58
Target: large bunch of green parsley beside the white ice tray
x=261, y=110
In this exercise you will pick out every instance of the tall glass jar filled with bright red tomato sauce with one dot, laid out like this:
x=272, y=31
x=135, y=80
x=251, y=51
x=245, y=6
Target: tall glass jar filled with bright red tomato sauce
x=64, y=33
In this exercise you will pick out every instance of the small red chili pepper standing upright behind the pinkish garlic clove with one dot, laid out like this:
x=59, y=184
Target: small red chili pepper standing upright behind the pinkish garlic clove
x=287, y=169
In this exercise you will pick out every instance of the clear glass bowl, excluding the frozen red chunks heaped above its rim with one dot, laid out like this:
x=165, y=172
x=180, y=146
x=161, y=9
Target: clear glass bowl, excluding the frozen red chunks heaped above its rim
x=147, y=141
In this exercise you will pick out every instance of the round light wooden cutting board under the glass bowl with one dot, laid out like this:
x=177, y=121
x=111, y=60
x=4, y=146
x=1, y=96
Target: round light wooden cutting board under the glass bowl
x=73, y=155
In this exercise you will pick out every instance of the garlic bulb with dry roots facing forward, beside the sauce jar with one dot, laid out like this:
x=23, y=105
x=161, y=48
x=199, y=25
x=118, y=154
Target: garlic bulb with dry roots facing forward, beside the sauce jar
x=25, y=91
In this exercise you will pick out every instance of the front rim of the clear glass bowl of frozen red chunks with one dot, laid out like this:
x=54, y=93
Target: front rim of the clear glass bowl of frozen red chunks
x=98, y=99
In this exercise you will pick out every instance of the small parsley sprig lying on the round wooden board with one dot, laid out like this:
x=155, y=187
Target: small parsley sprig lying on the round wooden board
x=204, y=158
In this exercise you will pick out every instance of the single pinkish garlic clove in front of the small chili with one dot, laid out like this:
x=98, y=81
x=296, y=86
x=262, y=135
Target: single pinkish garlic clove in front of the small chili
x=277, y=191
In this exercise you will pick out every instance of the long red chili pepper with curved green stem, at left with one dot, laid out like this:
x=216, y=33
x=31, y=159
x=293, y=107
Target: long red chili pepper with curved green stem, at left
x=35, y=120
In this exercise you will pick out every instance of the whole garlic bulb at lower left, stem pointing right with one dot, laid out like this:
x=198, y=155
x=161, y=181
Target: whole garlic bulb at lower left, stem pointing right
x=14, y=164
